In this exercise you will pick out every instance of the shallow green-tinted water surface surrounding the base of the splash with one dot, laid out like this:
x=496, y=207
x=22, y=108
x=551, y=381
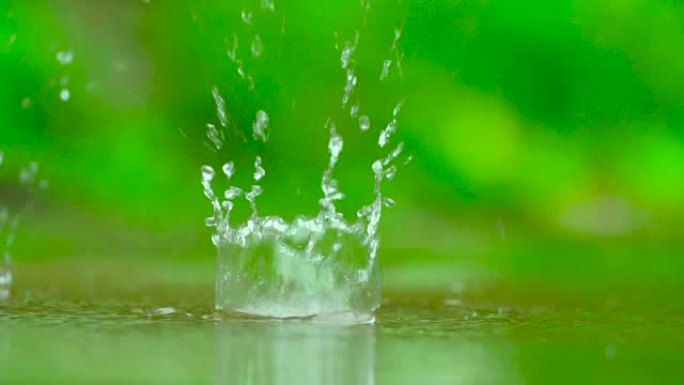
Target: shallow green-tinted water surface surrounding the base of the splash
x=153, y=336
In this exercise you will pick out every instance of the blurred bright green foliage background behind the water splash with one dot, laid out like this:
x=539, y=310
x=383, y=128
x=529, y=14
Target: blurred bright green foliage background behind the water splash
x=547, y=137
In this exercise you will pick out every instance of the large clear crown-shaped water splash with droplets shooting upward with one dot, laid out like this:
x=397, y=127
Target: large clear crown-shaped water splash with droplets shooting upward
x=311, y=266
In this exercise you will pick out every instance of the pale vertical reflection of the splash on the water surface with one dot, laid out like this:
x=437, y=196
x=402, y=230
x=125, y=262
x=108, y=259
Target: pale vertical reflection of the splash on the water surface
x=288, y=353
